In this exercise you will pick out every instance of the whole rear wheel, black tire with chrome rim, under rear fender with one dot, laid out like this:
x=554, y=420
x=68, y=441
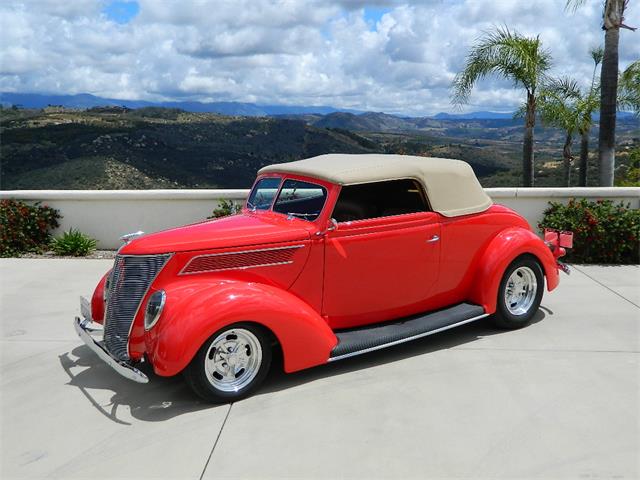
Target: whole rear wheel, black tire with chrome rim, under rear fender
x=519, y=294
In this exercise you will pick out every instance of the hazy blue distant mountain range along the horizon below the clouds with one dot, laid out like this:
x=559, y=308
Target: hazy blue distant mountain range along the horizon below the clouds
x=85, y=100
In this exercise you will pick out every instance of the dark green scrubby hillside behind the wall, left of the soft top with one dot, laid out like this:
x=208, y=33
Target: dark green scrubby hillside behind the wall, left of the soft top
x=154, y=149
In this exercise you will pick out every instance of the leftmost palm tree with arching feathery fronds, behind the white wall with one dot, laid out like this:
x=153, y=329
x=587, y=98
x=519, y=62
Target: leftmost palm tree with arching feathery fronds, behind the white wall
x=517, y=58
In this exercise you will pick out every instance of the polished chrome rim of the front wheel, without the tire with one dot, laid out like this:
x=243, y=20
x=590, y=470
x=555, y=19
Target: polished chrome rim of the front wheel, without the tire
x=233, y=359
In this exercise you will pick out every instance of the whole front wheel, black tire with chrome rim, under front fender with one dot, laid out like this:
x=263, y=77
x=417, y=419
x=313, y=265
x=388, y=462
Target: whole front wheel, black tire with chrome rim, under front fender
x=231, y=363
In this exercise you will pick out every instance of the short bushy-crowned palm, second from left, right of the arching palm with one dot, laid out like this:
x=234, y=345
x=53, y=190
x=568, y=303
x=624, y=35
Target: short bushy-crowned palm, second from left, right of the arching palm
x=558, y=104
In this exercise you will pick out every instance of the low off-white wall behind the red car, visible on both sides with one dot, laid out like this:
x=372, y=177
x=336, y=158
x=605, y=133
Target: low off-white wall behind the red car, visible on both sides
x=107, y=214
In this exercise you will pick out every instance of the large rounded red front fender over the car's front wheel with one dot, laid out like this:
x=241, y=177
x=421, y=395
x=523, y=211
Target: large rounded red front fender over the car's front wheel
x=194, y=310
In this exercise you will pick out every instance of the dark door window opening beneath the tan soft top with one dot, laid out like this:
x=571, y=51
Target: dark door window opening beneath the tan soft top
x=380, y=199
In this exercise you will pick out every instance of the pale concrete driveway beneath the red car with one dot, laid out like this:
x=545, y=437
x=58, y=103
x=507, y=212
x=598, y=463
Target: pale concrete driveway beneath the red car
x=559, y=399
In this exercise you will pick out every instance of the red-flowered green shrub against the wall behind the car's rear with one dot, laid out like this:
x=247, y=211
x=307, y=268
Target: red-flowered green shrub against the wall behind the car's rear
x=603, y=232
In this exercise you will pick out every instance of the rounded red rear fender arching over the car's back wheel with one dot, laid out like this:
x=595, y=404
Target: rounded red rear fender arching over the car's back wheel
x=501, y=251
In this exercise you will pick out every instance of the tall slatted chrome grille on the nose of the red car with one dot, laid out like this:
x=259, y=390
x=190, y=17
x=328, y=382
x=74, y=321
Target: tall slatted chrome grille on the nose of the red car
x=130, y=279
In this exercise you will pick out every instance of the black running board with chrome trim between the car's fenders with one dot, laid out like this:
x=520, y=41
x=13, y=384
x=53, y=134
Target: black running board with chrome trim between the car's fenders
x=367, y=339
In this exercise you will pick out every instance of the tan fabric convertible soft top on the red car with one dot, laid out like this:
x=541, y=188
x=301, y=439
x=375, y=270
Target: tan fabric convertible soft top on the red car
x=451, y=185
